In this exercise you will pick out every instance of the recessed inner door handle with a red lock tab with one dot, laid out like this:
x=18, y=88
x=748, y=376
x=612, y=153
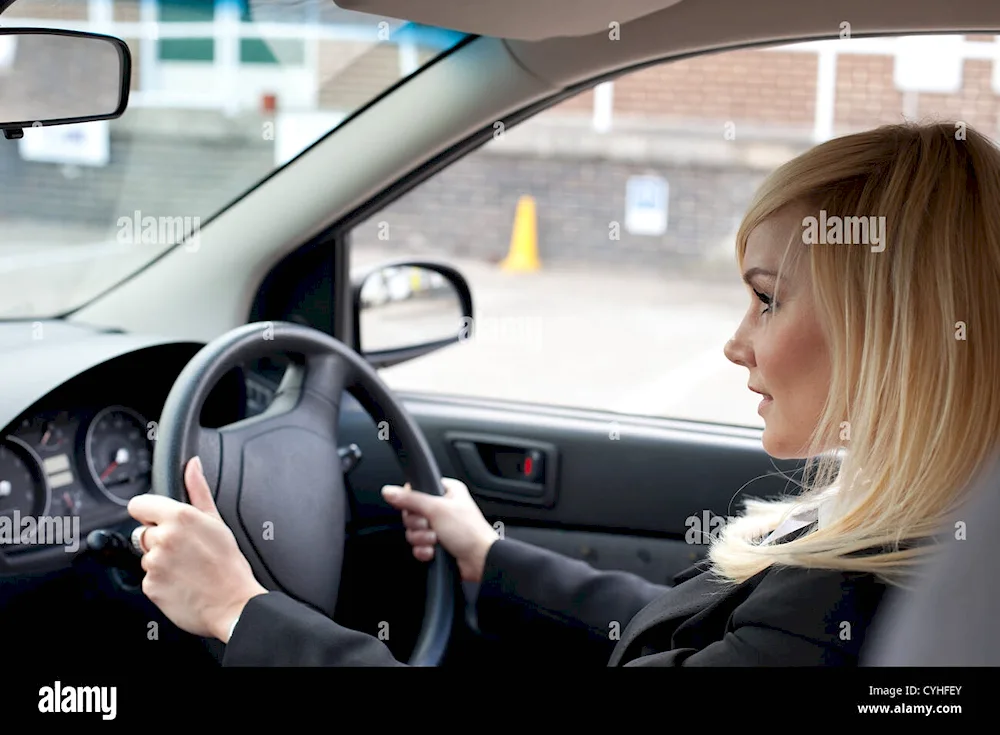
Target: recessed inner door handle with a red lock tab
x=507, y=468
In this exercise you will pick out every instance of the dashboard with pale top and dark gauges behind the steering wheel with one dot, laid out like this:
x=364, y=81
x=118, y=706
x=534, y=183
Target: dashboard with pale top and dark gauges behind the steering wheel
x=79, y=413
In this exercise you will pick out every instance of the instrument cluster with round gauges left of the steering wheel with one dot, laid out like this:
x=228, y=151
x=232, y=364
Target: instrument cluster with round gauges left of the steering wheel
x=75, y=464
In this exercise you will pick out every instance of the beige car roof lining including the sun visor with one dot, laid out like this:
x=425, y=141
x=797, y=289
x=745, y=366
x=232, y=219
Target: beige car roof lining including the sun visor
x=550, y=38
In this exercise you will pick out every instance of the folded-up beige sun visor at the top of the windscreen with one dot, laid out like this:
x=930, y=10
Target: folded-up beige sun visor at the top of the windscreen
x=525, y=20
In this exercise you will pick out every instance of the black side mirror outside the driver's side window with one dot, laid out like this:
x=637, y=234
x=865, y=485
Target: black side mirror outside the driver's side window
x=406, y=309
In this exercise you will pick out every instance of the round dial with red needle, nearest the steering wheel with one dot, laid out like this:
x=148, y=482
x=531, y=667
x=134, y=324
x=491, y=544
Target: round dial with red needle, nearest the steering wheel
x=119, y=454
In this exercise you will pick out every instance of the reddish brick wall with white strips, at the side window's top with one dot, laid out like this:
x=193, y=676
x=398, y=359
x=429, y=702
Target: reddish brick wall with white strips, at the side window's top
x=774, y=92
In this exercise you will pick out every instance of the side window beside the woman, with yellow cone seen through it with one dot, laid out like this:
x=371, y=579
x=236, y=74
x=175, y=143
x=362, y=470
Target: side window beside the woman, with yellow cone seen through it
x=598, y=237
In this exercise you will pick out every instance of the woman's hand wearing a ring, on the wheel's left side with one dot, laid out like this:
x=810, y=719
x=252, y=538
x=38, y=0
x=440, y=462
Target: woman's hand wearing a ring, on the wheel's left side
x=195, y=572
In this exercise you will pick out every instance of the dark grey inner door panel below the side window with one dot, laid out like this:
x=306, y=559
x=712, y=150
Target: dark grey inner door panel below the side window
x=640, y=495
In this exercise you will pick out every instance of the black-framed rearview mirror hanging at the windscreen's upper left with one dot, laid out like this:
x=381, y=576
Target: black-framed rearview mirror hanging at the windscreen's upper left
x=53, y=77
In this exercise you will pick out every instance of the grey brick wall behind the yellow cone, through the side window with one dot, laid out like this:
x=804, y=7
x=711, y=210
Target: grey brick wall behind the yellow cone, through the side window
x=468, y=210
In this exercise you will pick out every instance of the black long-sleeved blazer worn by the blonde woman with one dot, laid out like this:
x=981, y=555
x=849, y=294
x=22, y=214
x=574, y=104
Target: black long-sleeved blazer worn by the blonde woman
x=781, y=617
